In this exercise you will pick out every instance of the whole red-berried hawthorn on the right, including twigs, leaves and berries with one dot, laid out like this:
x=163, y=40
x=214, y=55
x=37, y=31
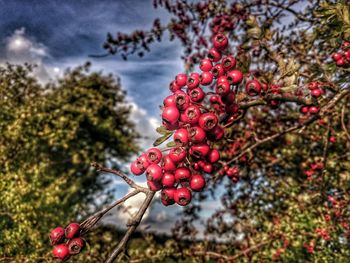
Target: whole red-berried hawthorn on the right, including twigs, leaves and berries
x=264, y=116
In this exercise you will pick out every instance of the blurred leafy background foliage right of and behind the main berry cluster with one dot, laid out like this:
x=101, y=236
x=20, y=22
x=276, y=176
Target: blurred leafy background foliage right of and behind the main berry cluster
x=284, y=207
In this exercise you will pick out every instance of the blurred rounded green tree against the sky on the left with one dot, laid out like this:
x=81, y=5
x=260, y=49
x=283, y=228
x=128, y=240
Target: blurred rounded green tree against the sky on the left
x=49, y=135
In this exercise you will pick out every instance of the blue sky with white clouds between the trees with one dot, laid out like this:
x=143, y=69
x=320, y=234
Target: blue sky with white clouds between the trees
x=57, y=34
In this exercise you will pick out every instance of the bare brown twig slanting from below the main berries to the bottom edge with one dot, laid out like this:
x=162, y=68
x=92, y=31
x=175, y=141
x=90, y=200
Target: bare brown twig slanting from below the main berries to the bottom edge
x=131, y=227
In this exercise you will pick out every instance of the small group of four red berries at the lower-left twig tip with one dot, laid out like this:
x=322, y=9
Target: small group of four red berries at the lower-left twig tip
x=66, y=242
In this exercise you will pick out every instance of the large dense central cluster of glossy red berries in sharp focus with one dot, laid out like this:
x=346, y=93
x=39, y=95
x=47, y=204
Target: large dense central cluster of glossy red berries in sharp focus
x=195, y=126
